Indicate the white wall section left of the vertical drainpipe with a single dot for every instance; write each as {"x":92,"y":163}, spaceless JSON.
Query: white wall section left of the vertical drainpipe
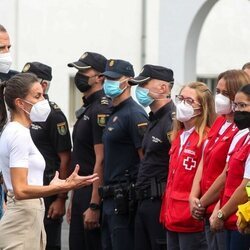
{"x":57,"y":32}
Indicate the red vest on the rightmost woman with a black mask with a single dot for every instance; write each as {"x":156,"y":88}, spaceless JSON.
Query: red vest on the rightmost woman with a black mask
{"x":235,"y":175}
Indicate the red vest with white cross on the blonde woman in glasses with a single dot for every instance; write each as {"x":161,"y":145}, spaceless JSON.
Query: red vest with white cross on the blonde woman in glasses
{"x":175,"y":212}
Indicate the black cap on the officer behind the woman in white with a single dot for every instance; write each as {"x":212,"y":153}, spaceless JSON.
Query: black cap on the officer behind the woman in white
{"x":41,"y":70}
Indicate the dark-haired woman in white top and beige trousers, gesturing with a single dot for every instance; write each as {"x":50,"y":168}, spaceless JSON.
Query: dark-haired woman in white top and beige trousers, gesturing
{"x":22,"y":166}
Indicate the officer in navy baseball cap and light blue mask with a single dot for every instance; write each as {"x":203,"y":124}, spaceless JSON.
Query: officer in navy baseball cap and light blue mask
{"x":122,"y":150}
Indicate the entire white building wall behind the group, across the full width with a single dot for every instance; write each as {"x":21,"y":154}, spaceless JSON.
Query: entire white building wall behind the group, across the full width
{"x":57,"y":32}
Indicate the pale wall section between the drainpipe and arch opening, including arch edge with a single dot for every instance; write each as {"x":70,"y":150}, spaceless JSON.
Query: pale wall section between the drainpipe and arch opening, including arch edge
{"x":179,"y":30}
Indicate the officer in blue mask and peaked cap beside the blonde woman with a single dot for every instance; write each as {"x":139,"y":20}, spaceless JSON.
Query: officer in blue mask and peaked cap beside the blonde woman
{"x":153,"y":90}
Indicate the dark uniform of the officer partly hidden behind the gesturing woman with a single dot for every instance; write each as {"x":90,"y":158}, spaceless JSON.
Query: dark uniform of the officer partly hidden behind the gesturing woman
{"x":52,"y":137}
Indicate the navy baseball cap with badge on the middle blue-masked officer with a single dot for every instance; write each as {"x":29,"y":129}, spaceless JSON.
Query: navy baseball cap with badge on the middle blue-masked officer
{"x":118,"y":68}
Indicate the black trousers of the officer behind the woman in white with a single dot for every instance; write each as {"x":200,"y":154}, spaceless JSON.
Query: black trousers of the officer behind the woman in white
{"x":53,"y":227}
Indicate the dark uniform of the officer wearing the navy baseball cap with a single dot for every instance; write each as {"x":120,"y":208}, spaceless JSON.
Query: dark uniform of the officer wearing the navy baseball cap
{"x":121,"y":138}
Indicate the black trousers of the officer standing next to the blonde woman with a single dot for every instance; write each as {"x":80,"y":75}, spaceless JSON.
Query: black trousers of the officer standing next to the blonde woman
{"x":149,"y":233}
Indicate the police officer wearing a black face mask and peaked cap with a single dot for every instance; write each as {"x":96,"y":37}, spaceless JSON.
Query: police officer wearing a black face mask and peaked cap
{"x":88,"y":150}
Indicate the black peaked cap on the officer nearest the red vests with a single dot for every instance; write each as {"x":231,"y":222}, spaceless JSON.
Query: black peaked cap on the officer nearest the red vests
{"x":153,"y":72}
